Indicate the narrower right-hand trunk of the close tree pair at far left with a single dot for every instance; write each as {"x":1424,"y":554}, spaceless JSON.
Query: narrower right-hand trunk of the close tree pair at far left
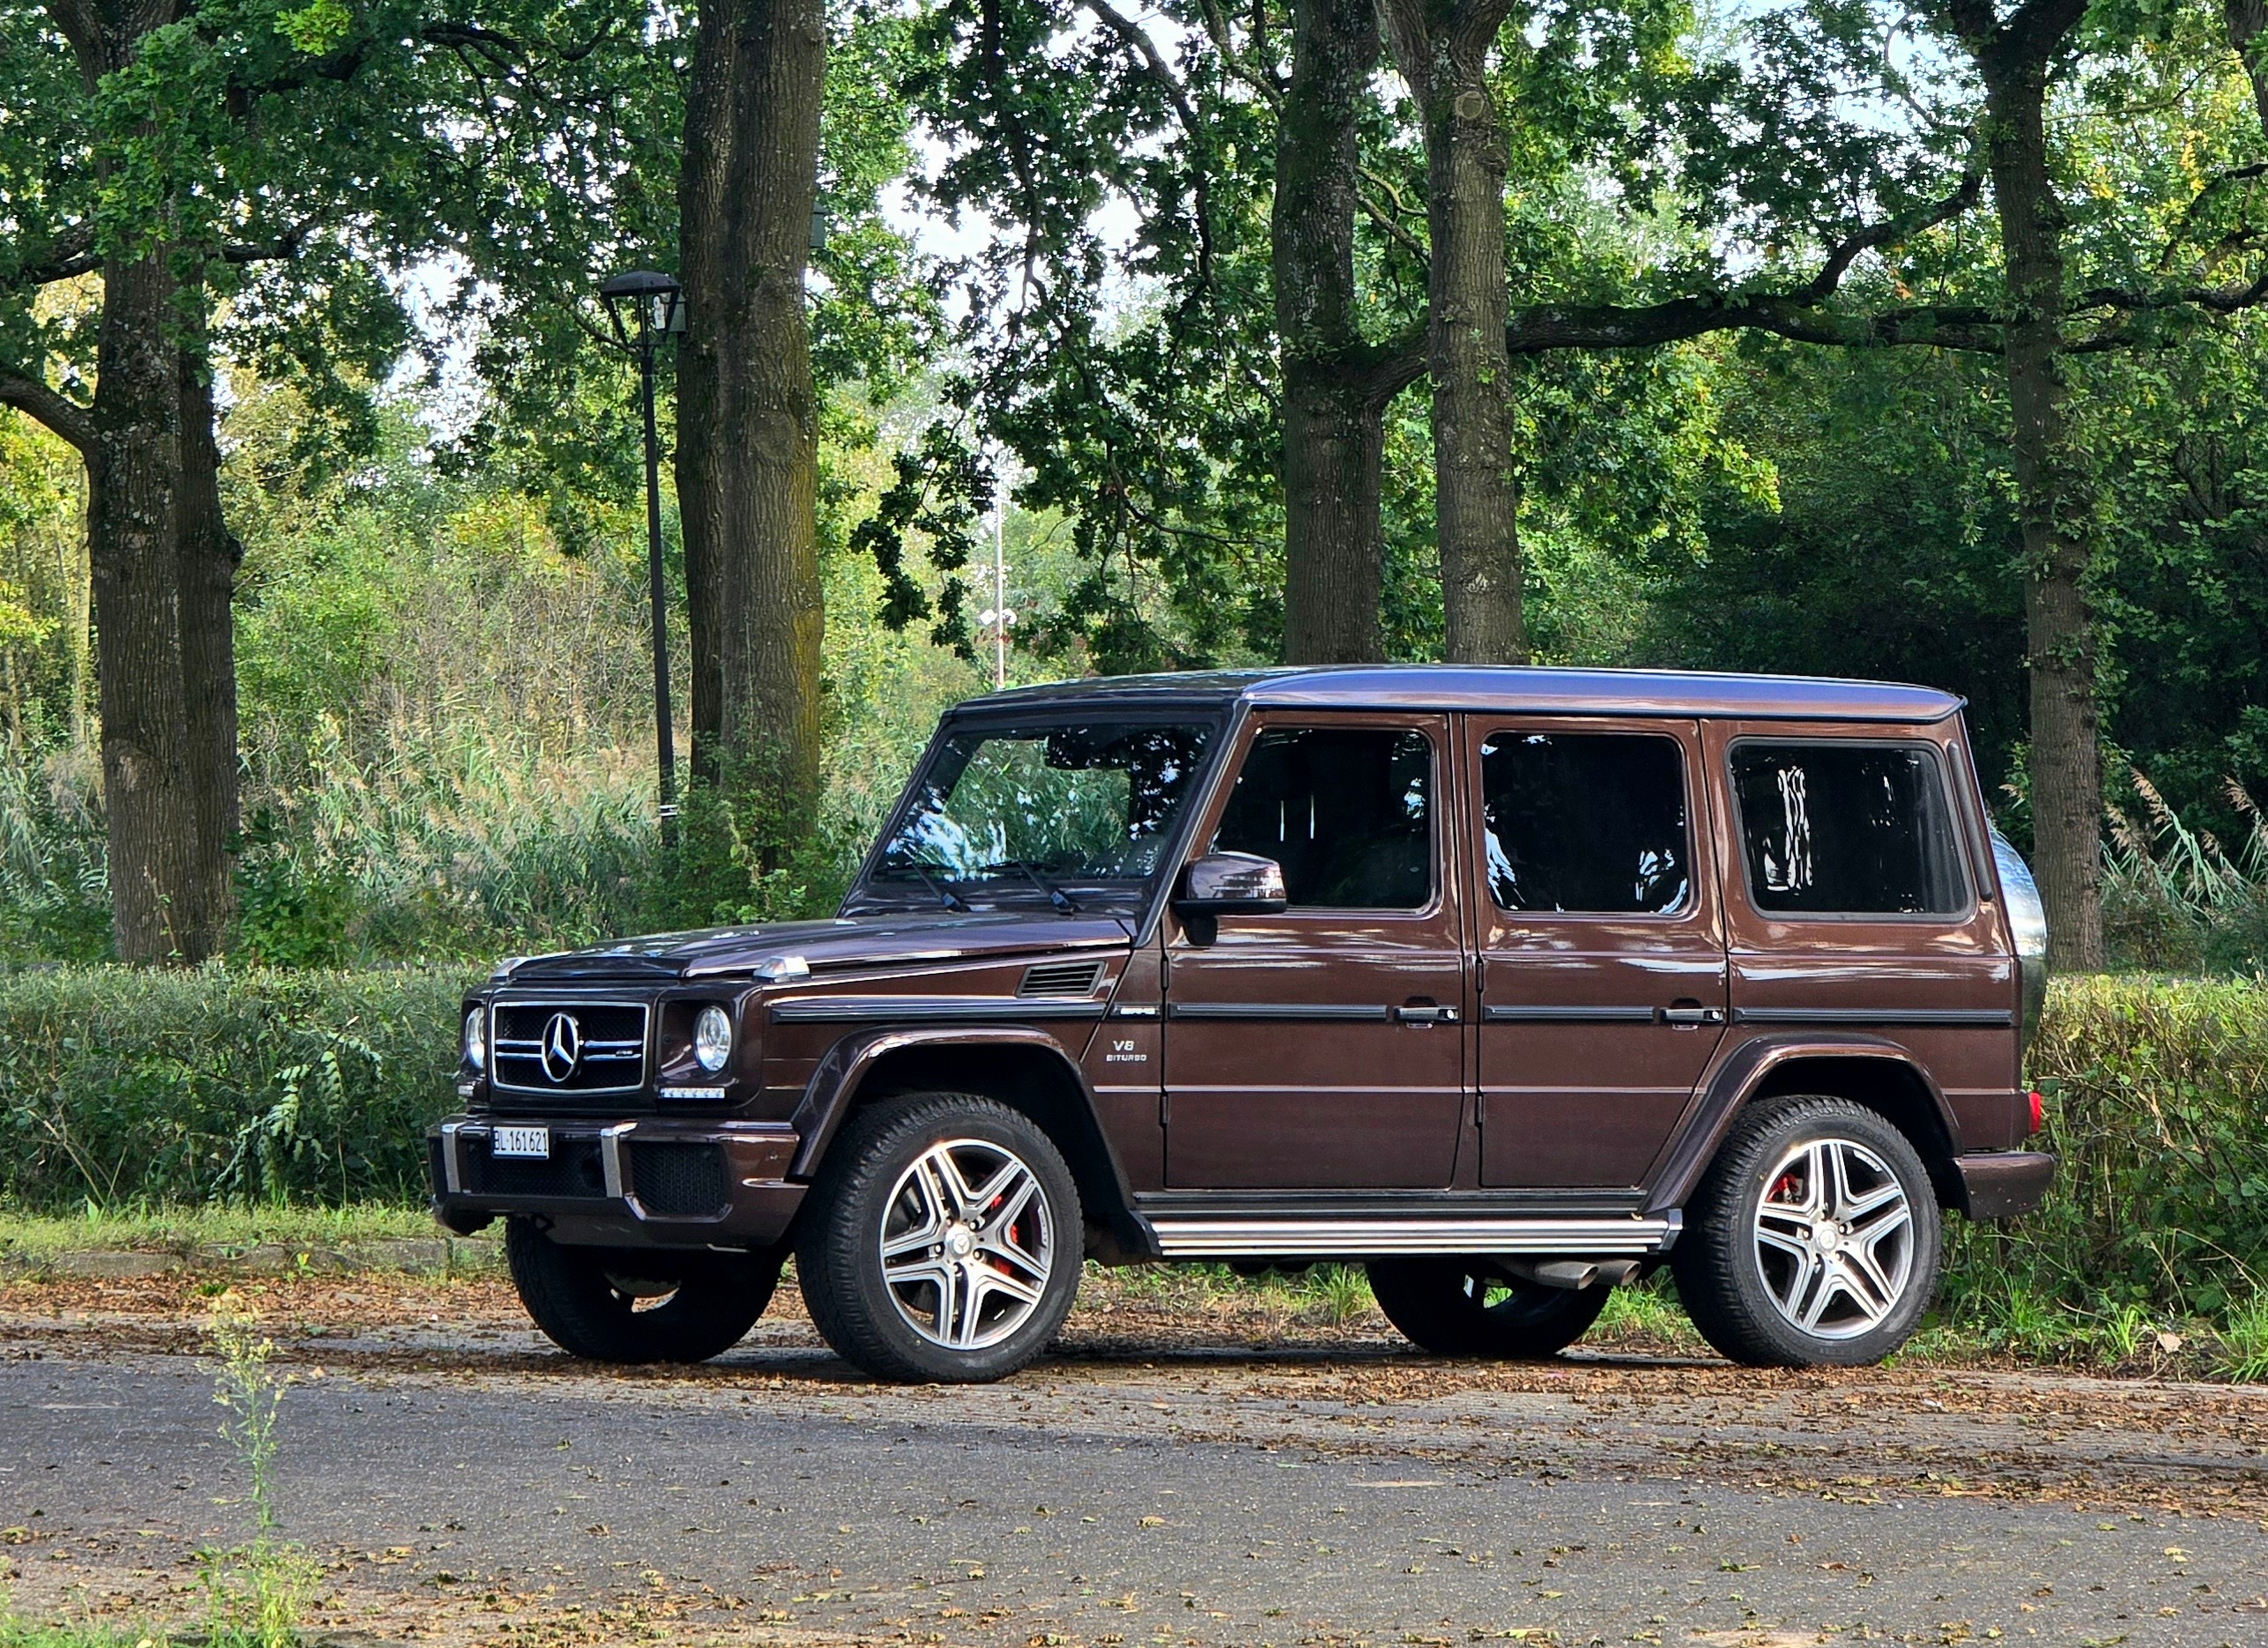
{"x":208,"y":566}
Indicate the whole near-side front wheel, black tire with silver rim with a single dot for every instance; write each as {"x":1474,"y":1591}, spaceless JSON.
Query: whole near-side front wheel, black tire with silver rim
{"x":881,"y":1184}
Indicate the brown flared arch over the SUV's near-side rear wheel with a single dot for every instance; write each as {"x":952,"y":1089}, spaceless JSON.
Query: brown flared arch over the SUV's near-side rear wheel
{"x":1865,"y":1070}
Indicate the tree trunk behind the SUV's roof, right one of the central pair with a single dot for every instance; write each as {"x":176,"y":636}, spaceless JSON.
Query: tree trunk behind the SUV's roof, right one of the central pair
{"x":1444,"y":53}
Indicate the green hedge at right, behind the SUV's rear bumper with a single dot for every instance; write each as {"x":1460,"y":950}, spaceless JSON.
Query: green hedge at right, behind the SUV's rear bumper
{"x":2158,"y":1107}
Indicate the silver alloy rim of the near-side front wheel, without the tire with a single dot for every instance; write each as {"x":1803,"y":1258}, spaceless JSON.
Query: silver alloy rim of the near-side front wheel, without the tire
{"x":967,"y":1245}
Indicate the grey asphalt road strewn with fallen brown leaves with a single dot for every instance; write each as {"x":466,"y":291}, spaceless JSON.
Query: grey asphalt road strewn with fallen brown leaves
{"x":462,"y":1483}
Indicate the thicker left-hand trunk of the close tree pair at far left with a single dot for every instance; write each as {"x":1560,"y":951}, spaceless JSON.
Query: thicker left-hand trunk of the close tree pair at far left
{"x":133,"y":523}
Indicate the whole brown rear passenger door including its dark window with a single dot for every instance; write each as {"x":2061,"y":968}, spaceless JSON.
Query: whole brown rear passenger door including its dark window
{"x":1602,"y":948}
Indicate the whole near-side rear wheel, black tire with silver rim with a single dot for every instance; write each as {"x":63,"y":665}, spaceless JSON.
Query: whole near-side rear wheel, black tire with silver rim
{"x":1732,"y":1279}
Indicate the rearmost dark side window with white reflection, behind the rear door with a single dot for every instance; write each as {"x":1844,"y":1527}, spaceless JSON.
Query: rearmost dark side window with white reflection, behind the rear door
{"x":1847,"y":830}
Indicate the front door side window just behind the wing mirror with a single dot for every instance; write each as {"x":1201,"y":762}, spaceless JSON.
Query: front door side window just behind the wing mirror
{"x":1348,"y":812}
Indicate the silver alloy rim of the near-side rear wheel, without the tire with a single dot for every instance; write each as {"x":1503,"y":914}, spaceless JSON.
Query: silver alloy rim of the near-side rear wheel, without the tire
{"x":1834,"y":1238}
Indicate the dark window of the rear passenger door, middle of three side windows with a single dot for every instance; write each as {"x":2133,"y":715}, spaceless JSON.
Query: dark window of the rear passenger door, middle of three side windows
{"x":1586,"y":823}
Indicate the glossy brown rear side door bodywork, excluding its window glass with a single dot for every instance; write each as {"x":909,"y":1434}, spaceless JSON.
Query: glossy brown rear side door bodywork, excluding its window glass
{"x":1593,"y":1027}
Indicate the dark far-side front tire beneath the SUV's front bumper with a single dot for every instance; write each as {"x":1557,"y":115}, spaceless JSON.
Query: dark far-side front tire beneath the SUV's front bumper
{"x":638,"y":1304}
